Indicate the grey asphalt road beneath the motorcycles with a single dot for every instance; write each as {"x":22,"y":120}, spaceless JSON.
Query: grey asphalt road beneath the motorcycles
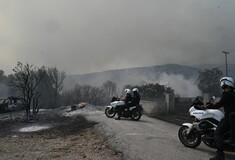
{"x":148,"y":139}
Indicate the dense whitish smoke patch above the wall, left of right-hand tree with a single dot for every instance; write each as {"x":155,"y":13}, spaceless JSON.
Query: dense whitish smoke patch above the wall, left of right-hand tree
{"x":183,"y":87}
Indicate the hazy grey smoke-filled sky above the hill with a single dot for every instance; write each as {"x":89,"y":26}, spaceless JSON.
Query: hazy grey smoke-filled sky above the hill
{"x":81,"y":36}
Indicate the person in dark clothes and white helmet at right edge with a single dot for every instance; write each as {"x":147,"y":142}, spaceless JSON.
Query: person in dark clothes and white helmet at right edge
{"x":227,"y":101}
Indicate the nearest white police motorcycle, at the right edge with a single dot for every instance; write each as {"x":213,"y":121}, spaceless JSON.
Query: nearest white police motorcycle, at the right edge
{"x":202,"y":128}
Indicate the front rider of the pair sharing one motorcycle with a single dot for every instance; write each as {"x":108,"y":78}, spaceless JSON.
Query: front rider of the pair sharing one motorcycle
{"x":127,"y":100}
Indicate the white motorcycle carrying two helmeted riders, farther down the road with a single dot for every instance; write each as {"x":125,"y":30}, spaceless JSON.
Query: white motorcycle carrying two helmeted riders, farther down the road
{"x":134,"y":112}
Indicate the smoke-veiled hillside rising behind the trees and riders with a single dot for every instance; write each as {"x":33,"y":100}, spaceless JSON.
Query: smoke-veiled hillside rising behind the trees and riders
{"x":170,"y":75}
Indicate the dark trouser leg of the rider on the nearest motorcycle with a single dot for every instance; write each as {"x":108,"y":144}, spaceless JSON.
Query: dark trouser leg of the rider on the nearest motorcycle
{"x":222,"y":127}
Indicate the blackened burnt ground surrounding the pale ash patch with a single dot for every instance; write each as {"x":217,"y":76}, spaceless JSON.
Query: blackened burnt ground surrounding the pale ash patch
{"x":61,"y":126}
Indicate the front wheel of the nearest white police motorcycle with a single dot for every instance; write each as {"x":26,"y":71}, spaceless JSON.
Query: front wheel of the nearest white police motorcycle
{"x":191,"y":140}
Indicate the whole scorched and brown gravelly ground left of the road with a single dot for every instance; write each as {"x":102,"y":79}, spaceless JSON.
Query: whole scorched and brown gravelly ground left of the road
{"x":72,"y":138}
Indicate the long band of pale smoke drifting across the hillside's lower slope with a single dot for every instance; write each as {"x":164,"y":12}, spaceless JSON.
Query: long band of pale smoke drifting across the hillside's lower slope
{"x":183,"y":87}
